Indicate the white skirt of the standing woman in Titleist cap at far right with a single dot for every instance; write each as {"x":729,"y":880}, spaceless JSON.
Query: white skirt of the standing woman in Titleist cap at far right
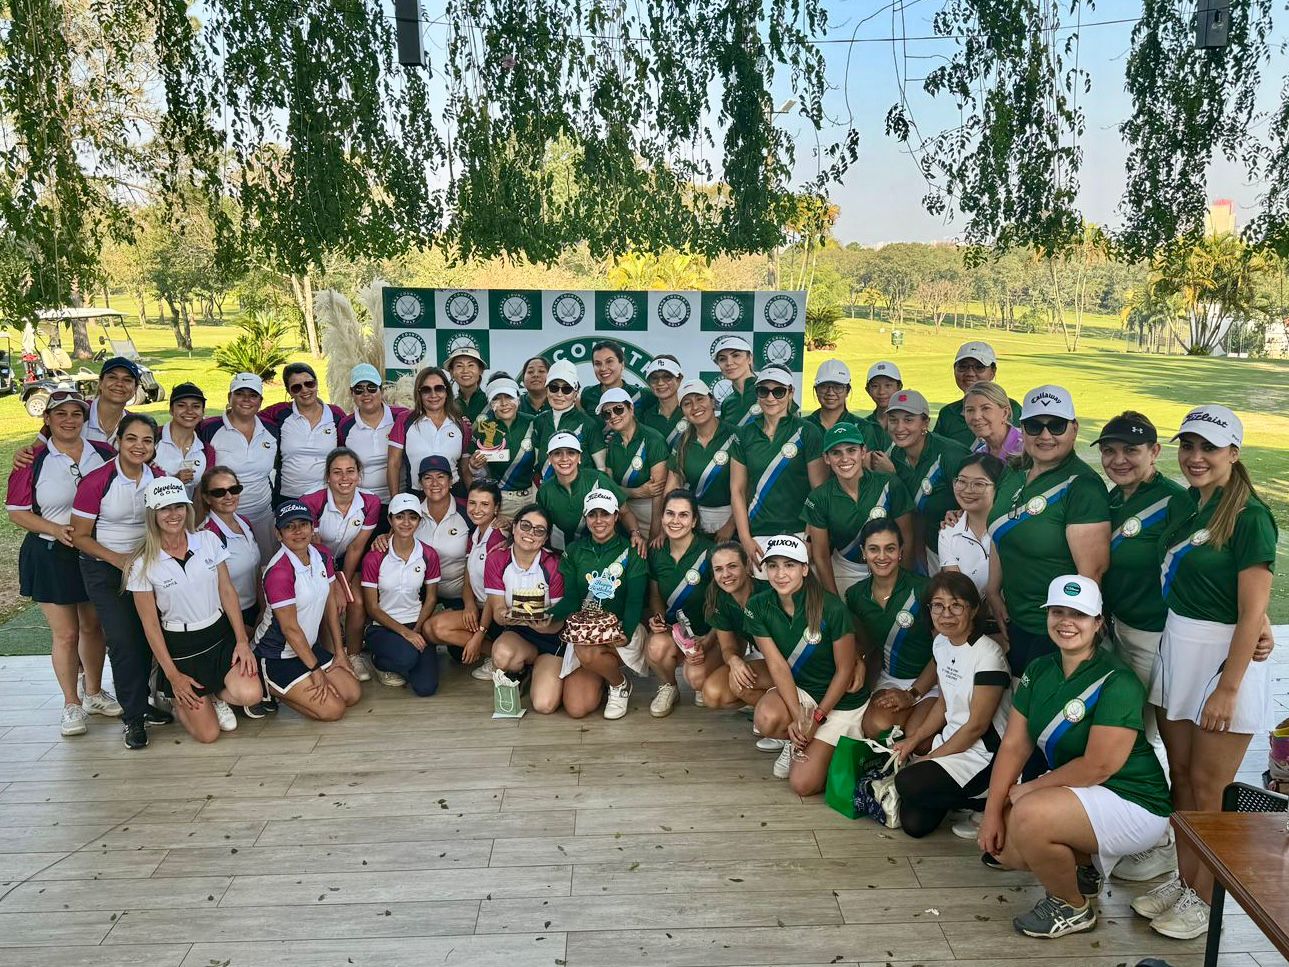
{"x":1192,"y":654}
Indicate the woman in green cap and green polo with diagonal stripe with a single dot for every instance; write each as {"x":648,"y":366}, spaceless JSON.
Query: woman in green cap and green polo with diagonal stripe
{"x":837,"y":511}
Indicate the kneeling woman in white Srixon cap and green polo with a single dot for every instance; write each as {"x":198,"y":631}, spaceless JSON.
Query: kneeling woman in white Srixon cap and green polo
{"x":809,"y":643}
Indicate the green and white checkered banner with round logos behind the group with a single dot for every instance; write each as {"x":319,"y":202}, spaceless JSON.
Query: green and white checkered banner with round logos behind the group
{"x":425,"y":327}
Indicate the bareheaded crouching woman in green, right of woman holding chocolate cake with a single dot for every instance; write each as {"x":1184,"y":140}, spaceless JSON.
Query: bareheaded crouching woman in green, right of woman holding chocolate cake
{"x":680,"y":573}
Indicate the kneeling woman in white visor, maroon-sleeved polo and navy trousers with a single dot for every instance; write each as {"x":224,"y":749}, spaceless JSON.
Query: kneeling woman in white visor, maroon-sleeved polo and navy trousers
{"x":399,"y":589}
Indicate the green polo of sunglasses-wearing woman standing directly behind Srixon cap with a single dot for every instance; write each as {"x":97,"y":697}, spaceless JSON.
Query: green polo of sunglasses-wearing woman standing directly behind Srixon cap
{"x":778,"y":476}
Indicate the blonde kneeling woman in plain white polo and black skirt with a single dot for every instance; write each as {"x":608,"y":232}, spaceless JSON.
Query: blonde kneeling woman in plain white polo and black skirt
{"x":190,"y":614}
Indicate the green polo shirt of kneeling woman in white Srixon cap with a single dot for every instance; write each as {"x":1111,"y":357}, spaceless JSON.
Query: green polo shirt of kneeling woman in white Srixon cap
{"x":809,"y":652}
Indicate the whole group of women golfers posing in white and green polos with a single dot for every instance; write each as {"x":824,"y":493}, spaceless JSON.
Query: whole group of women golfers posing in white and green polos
{"x":1043,"y":645}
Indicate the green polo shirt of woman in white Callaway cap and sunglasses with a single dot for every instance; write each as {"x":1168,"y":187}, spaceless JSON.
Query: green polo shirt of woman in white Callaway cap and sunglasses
{"x":1028,"y":528}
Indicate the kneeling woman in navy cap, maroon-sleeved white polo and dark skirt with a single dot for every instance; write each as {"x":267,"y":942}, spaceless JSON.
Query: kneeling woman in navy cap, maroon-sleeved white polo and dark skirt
{"x":311,"y":678}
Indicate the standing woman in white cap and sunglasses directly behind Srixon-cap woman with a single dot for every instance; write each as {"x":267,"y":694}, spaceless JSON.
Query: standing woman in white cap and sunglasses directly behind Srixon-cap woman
{"x":775,"y":462}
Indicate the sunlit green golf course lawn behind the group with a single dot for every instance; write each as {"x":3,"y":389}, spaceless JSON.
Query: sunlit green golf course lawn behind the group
{"x":1104,"y":380}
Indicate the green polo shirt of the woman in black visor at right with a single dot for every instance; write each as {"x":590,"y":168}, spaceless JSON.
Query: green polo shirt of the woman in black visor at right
{"x":1138,"y":525}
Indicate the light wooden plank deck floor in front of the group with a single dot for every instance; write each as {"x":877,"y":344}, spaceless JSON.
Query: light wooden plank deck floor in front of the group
{"x":422,"y":832}
